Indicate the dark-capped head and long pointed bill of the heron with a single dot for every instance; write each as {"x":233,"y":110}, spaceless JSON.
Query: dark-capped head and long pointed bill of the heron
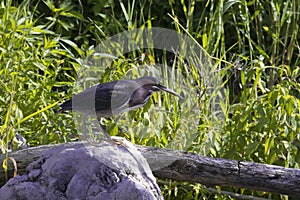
{"x":155,"y":85}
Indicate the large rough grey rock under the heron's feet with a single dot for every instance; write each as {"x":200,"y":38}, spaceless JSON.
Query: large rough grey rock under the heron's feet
{"x":107,"y":171}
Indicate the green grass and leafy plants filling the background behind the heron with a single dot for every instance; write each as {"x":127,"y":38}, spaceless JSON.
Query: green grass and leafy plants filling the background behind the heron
{"x":254,"y":52}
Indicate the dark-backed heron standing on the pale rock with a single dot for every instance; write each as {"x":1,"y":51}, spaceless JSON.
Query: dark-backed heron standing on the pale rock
{"x":112,"y":98}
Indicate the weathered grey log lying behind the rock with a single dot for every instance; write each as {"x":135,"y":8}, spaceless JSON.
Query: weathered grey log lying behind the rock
{"x":190,"y":167}
